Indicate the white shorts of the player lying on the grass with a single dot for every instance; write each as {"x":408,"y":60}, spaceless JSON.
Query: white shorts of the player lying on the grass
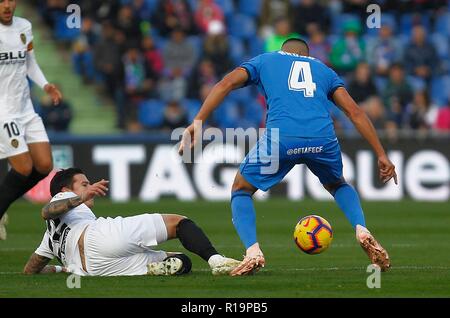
{"x":122,"y":246}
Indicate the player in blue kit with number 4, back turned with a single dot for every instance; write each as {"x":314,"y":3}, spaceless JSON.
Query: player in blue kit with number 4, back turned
{"x":298,"y":90}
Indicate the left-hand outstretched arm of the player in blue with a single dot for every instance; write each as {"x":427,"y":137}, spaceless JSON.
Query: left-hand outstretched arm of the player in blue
{"x":234,"y":80}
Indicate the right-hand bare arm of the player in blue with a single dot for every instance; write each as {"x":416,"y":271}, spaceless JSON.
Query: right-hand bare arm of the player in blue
{"x":365,"y":127}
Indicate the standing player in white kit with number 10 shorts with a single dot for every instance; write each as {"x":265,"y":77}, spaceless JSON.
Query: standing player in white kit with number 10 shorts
{"x":23,"y":139}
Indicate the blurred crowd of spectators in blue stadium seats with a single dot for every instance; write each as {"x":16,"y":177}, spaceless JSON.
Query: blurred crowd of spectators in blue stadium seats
{"x":159,"y":59}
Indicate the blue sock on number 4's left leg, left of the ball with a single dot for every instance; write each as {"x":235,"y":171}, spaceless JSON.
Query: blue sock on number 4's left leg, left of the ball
{"x":244,"y":217}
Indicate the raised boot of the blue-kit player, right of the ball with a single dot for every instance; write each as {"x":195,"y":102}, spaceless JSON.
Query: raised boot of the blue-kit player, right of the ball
{"x":377,"y":254}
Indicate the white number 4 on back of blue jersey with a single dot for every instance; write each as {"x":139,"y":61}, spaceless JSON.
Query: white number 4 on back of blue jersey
{"x":300,"y":78}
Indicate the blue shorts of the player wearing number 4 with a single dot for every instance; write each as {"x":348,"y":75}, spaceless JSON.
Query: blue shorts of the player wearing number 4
{"x":271,"y":159}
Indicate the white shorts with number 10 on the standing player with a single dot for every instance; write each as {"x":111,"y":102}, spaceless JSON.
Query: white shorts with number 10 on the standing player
{"x":17,"y":133}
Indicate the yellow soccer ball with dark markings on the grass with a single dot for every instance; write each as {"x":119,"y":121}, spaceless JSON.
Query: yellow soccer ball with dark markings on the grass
{"x":313,"y":234}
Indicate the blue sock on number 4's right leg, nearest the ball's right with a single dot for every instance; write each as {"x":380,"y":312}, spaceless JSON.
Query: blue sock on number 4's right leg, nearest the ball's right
{"x":348,"y":201}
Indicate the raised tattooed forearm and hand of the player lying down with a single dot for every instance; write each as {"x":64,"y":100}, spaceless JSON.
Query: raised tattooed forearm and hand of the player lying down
{"x":57,"y":208}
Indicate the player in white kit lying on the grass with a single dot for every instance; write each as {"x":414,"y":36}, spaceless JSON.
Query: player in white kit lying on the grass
{"x":88,"y":246}
